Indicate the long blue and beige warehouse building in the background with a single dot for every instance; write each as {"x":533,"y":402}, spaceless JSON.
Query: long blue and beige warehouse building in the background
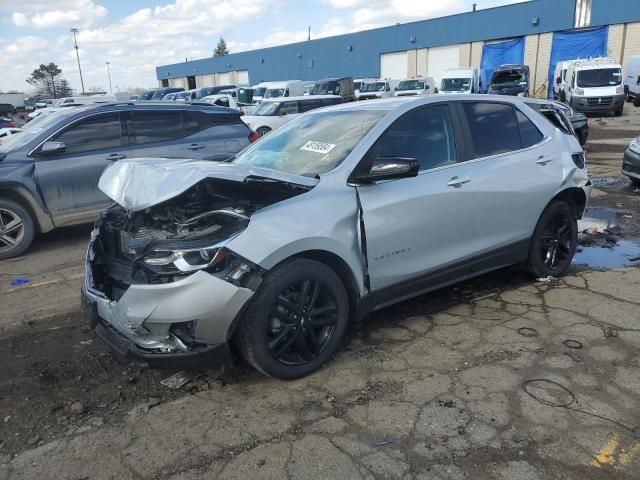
{"x":537,"y":33}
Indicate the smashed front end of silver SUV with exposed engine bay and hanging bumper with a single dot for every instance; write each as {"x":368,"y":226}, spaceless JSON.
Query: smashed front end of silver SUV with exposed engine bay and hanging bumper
{"x":162,"y":288}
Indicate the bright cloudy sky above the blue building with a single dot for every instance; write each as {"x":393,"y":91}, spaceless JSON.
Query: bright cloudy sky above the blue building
{"x":136,"y":36}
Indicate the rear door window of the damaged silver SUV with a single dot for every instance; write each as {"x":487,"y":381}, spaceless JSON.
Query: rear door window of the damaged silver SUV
{"x":493,"y":127}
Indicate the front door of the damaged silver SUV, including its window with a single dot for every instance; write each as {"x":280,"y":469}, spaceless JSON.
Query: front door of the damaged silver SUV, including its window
{"x":419,"y":230}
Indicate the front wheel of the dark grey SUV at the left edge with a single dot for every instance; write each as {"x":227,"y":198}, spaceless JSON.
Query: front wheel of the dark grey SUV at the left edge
{"x":16,"y":229}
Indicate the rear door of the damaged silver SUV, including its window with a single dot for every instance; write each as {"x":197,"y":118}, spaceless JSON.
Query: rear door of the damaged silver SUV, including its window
{"x":515,"y":172}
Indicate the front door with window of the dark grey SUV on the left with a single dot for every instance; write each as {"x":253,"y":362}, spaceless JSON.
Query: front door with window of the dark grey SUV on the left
{"x":69,"y":180}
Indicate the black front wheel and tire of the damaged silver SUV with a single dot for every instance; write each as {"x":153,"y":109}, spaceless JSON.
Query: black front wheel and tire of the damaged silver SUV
{"x":296,"y":320}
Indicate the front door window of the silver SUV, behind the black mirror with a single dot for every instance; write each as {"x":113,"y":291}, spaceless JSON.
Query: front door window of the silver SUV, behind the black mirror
{"x":425,"y":134}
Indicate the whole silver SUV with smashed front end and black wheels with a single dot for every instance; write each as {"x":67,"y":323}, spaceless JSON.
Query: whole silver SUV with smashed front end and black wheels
{"x":342,"y":211}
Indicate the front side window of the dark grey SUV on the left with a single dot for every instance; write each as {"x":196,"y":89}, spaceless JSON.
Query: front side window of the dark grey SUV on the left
{"x":96,"y":133}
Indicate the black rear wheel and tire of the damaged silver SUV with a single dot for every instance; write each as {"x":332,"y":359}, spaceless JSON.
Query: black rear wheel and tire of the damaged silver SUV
{"x":554,"y":241}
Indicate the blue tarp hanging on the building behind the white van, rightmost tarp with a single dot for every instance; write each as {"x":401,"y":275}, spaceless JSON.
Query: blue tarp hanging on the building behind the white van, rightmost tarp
{"x":570,"y":45}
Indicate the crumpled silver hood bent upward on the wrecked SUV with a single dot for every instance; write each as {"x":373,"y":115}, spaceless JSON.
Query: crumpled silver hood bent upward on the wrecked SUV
{"x":141,"y":183}
